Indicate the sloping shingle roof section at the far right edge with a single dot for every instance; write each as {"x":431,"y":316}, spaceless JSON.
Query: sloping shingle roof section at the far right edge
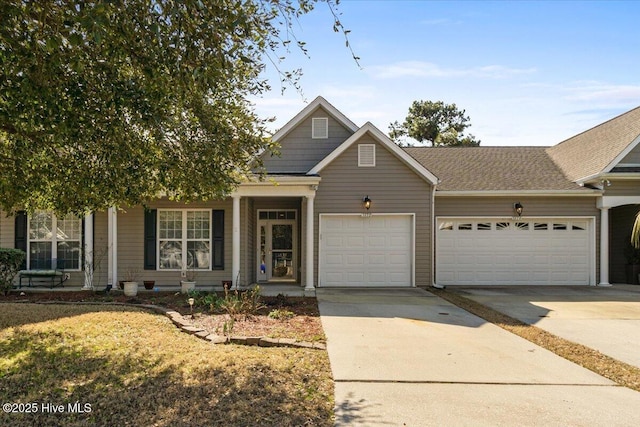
{"x":598,"y":149}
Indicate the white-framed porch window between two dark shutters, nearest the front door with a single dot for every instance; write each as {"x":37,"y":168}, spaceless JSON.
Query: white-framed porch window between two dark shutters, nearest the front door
{"x":184,"y":239}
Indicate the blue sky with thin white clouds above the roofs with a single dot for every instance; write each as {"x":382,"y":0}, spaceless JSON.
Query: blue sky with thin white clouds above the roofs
{"x":526,"y":72}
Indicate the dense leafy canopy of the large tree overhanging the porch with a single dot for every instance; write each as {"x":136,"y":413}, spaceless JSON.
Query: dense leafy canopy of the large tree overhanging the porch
{"x":114,"y":103}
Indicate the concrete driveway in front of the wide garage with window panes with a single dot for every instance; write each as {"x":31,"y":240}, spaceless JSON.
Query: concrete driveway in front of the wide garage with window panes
{"x":606,"y":319}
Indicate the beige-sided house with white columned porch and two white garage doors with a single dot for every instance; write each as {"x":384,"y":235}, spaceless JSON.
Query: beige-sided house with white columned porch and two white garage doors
{"x":442,"y":216}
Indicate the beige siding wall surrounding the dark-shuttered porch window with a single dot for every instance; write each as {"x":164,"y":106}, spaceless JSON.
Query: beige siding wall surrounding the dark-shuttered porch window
{"x":131,"y":244}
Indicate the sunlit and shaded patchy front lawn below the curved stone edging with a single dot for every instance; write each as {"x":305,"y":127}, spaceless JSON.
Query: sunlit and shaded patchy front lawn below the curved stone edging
{"x":135,"y":368}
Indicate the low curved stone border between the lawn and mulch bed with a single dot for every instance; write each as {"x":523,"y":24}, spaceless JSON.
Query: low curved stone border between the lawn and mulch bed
{"x":185,"y":326}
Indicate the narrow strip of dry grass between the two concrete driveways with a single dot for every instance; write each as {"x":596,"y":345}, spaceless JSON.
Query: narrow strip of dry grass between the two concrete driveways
{"x":619,"y":372}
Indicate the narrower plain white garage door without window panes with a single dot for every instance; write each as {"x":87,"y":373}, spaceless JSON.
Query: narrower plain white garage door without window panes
{"x":366,"y":251}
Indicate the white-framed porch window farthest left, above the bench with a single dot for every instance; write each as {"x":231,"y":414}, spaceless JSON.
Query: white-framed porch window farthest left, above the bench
{"x":52,"y":238}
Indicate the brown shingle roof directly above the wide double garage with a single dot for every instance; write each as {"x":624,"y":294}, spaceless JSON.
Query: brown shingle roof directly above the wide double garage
{"x":493,"y":169}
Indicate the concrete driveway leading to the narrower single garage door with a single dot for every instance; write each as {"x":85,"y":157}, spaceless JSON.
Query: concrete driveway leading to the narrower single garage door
{"x":407,"y":357}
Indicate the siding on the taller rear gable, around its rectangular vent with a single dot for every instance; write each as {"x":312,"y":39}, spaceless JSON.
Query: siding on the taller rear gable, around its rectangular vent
{"x":299,"y":152}
